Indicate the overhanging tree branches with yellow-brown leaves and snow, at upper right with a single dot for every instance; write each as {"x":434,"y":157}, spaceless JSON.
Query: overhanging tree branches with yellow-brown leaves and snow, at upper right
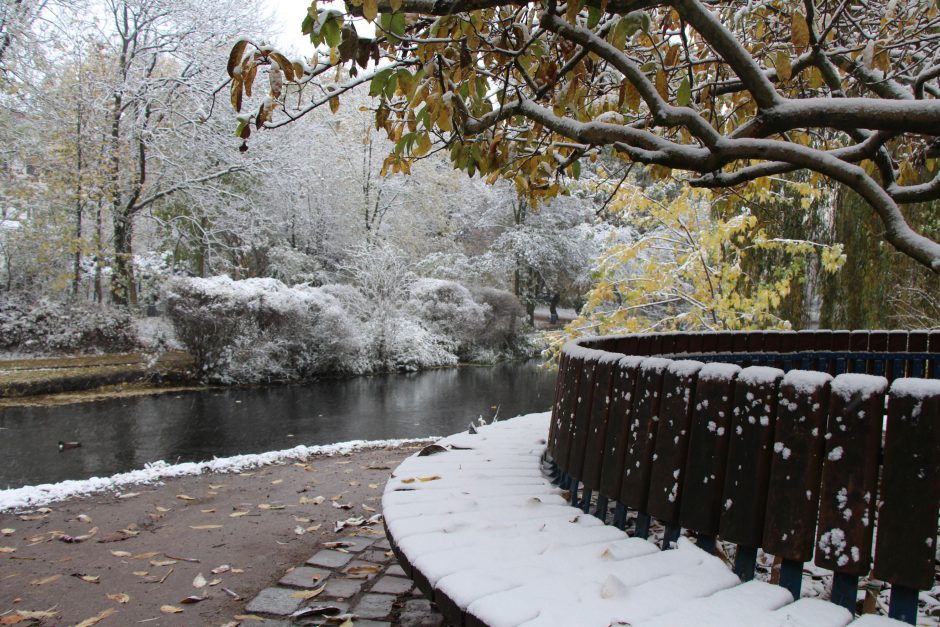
{"x":729,"y":90}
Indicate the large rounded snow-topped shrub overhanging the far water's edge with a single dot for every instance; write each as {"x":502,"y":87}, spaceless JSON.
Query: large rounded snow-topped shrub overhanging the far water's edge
{"x":261,"y":330}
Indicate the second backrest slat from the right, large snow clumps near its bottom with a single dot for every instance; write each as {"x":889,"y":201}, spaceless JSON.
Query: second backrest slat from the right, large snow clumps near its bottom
{"x":850,"y":472}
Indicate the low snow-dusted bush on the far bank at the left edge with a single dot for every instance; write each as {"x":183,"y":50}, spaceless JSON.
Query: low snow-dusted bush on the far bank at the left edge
{"x":51,"y":327}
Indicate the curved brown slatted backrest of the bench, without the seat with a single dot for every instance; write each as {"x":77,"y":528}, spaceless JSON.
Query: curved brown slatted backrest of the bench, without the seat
{"x":798,"y":443}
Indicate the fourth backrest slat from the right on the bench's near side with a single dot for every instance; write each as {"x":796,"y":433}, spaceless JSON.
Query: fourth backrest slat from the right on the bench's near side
{"x":749,"y":455}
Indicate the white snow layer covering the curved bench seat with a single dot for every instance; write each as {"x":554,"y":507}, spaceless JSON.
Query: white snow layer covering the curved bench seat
{"x":480,"y":523}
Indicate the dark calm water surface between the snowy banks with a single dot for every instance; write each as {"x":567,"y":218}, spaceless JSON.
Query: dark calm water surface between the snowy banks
{"x":123,"y":434}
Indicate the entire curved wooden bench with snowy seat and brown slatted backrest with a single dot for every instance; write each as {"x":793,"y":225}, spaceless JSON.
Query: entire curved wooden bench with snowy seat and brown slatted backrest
{"x":728,"y":437}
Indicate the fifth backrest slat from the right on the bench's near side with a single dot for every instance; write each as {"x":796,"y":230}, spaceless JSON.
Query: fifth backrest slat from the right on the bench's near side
{"x":700,"y":509}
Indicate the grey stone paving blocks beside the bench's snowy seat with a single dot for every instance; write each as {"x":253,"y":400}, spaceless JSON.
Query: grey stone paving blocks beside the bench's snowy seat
{"x":356,"y":576}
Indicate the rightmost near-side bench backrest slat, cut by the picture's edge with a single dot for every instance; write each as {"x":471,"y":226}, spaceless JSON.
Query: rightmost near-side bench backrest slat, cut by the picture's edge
{"x":910,"y":485}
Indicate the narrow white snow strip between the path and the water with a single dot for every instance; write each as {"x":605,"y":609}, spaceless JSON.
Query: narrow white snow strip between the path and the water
{"x":38,"y":495}
